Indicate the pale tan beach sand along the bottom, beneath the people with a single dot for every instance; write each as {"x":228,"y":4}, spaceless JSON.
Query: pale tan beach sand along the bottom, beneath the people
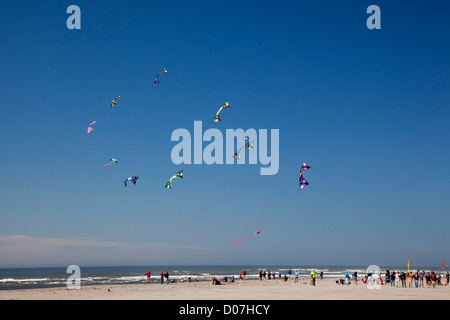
{"x":325,"y":289}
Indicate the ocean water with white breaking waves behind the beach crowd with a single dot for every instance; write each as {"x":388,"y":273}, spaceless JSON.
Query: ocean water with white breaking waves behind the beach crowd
{"x":25,"y":278}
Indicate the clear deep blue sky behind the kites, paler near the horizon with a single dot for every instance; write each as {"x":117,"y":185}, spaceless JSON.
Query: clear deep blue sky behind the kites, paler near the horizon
{"x":367,"y":109}
